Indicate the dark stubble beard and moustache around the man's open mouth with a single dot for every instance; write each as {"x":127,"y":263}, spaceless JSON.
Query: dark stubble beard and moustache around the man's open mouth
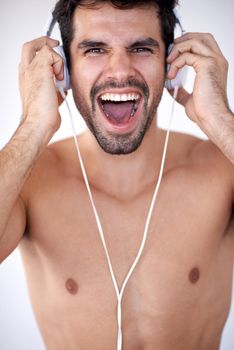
{"x":117,"y":144}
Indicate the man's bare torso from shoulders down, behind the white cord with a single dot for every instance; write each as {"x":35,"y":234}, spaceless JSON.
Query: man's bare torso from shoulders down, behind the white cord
{"x":180,"y":292}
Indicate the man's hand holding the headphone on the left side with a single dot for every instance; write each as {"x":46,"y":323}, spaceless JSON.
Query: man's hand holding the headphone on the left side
{"x":39,"y":65}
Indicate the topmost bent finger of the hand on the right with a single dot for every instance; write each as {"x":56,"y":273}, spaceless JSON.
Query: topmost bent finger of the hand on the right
{"x":206,"y":38}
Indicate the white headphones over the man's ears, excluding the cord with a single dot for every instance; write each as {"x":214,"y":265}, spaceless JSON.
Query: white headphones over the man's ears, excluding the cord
{"x":64,"y":84}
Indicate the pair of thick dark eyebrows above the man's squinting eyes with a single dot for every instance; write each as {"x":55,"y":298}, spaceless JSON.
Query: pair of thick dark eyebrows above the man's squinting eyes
{"x":140,"y":42}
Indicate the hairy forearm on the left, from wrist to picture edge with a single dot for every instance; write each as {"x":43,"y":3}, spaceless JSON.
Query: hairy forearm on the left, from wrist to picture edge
{"x":16,"y":161}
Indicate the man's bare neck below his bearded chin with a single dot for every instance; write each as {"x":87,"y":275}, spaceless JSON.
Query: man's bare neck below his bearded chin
{"x":126,"y":175}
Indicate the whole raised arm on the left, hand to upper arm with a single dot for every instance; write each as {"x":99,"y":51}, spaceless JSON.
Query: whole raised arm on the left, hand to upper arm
{"x":41,"y":119}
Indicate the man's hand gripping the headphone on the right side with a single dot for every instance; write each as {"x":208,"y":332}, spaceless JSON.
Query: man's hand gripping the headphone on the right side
{"x":209,"y":97}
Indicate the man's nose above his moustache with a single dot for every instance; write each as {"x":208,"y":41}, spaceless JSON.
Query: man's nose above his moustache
{"x":120,"y":66}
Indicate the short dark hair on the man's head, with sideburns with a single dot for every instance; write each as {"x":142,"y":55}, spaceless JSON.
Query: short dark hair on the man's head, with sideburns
{"x":64,"y":11}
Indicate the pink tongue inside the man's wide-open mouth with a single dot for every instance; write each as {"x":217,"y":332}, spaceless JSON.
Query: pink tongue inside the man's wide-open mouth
{"x":118,"y":112}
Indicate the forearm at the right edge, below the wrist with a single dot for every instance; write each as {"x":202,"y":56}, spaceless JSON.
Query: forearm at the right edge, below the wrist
{"x":221,"y":132}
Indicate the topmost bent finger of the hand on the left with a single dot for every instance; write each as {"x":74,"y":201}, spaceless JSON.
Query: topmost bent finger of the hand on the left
{"x":31,"y":48}
